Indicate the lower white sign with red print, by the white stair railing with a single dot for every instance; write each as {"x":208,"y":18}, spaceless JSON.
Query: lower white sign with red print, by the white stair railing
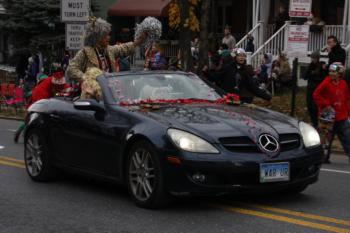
{"x":298,"y":40}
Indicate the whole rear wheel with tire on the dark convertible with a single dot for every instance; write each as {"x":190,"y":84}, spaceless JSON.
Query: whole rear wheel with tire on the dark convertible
{"x":37,"y":157}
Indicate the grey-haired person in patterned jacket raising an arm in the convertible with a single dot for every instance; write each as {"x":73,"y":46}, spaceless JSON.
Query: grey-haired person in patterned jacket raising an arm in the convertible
{"x":97,"y":51}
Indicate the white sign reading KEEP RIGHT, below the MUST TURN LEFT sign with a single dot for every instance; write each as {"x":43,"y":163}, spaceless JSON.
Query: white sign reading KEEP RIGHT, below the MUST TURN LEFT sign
{"x":74,"y":36}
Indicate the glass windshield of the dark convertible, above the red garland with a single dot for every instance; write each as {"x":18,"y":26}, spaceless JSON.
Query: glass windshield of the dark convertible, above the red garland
{"x":137,"y":87}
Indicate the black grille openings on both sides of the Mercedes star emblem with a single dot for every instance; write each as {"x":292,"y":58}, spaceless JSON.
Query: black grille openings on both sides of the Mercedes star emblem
{"x":244,"y":144}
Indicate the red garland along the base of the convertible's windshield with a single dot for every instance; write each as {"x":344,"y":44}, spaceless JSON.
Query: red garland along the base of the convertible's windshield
{"x":230,"y":99}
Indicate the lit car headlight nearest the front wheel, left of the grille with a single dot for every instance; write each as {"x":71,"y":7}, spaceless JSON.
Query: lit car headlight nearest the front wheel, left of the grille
{"x":189,"y":142}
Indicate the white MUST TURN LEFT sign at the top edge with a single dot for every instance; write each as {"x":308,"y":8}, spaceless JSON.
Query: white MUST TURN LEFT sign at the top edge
{"x":75,"y":10}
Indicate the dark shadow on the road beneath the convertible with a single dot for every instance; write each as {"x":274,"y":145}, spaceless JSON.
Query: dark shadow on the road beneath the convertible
{"x":119,"y":194}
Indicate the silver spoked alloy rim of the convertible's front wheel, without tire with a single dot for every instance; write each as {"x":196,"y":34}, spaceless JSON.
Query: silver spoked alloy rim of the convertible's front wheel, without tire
{"x":141,"y":174}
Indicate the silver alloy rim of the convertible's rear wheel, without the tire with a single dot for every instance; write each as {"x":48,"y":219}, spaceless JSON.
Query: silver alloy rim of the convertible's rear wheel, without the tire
{"x":34,"y":150}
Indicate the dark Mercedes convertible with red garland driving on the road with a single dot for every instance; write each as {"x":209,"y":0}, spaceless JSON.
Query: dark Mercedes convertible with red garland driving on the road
{"x":170,"y":133}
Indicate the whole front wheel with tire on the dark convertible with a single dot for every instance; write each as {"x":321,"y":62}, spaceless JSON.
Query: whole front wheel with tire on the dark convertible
{"x":144,"y":176}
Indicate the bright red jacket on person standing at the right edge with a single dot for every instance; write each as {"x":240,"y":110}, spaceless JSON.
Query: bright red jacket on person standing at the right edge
{"x":337,"y":96}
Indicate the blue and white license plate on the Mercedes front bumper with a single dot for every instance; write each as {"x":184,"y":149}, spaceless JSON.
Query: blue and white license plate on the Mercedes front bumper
{"x":274,"y":172}
